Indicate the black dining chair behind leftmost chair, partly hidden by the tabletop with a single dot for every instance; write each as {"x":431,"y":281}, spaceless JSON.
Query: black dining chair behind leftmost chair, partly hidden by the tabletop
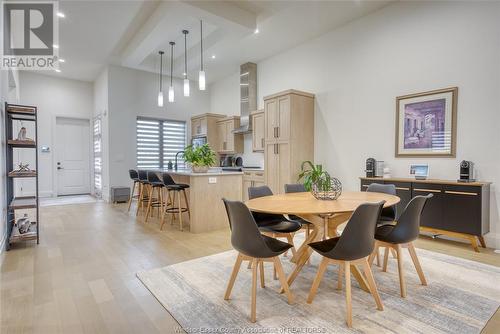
{"x":276,"y":226}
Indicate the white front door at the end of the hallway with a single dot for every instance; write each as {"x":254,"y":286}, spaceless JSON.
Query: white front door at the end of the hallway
{"x":72,"y":156}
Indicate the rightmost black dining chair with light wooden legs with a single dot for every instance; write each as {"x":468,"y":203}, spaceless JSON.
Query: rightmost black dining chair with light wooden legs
{"x":402,"y":234}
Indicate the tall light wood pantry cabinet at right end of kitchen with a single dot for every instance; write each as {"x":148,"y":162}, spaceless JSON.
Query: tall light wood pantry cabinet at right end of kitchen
{"x":289,"y":136}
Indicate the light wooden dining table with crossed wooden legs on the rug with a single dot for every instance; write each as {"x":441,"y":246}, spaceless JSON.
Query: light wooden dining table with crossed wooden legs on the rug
{"x":324,"y":215}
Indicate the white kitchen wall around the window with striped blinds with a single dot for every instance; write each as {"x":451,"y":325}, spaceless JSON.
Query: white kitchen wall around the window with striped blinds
{"x":134,"y":93}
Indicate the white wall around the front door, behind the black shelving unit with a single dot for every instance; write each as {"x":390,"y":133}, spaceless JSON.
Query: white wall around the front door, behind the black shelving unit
{"x":54,"y":97}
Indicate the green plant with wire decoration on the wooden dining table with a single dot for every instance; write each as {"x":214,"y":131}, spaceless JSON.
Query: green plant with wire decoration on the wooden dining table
{"x":319,"y":182}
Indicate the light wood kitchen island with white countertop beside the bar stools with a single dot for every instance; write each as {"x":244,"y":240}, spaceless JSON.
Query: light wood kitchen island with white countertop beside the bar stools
{"x":205,"y":194}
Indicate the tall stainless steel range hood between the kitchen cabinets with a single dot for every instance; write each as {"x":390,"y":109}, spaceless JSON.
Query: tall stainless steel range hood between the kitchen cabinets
{"x":248,"y":96}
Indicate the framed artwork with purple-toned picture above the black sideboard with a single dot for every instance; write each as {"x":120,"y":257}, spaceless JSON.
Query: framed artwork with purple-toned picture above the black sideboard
{"x":426,"y":124}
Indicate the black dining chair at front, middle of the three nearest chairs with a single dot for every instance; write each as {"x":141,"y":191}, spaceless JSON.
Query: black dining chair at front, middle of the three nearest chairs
{"x":353,"y":247}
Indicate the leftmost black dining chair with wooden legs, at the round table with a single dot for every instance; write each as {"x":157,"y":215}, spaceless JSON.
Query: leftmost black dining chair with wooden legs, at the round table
{"x":251,"y":245}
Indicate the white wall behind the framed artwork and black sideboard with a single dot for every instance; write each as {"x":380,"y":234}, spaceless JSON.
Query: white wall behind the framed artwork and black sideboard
{"x":357,"y":71}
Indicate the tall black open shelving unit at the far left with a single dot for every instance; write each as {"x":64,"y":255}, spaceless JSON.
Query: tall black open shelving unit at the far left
{"x":13,"y":113}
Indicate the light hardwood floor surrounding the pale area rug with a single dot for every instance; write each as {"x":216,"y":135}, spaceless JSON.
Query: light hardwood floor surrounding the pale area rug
{"x":81,"y":278}
